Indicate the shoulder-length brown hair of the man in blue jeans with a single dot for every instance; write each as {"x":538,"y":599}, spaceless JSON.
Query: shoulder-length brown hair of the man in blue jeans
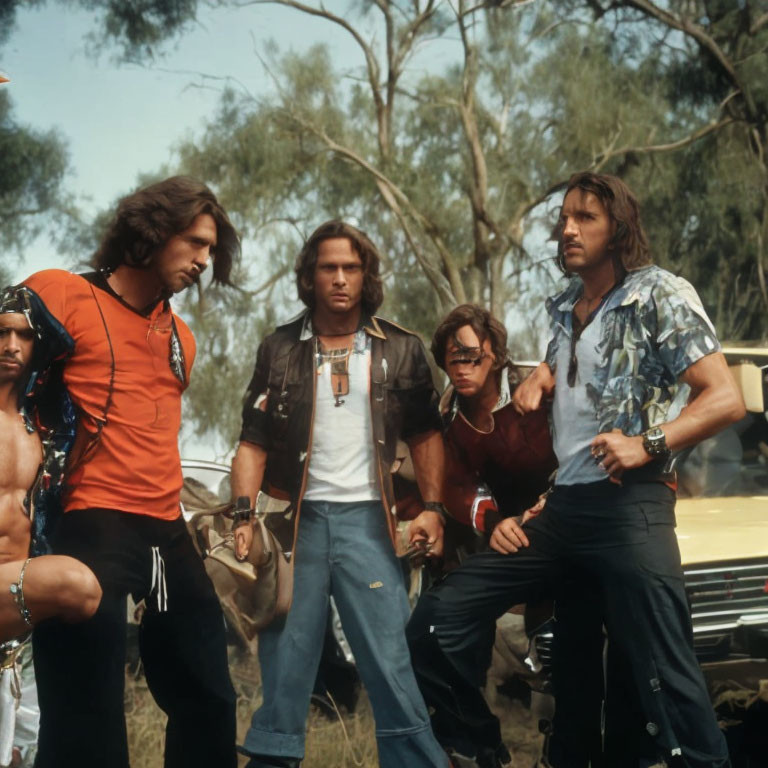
{"x":373,"y":294}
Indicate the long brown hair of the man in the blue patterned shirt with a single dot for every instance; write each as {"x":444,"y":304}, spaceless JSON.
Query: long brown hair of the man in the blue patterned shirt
{"x":629,"y":244}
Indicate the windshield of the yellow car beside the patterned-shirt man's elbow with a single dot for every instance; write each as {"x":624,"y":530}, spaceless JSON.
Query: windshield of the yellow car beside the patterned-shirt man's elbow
{"x":732,"y":463}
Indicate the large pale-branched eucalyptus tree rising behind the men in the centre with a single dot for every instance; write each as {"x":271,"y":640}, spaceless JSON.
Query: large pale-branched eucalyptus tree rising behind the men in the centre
{"x":447,"y":163}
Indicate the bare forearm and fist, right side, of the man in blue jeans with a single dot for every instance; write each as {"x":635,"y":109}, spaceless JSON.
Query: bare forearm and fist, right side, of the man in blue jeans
{"x":428,"y":456}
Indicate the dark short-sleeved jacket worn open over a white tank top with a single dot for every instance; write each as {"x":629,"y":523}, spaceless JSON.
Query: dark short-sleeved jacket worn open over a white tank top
{"x":403,"y":402}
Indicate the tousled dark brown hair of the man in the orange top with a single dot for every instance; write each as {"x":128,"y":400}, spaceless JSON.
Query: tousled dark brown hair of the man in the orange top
{"x":146,"y":219}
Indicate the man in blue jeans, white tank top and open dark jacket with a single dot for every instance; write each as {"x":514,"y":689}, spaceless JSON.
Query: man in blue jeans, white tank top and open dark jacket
{"x":332,"y":392}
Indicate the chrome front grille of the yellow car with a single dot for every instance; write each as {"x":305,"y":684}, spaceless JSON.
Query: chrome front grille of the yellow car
{"x":723,"y":599}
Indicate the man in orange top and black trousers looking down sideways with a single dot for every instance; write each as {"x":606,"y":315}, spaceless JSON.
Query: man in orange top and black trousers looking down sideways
{"x":130,"y":363}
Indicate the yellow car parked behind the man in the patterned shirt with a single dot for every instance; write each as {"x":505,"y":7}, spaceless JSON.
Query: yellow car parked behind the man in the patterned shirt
{"x":722,"y":530}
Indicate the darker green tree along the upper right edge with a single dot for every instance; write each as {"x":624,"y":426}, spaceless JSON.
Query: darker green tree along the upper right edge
{"x":710,"y":206}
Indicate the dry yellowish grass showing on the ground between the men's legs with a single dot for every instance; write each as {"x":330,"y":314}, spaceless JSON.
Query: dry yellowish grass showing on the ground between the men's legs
{"x":327,"y":746}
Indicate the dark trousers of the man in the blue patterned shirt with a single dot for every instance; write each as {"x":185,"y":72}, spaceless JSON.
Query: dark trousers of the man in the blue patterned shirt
{"x":621,"y":538}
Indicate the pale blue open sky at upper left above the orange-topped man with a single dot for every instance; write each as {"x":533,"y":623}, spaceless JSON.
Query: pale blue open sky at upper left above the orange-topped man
{"x":122,"y":120}
